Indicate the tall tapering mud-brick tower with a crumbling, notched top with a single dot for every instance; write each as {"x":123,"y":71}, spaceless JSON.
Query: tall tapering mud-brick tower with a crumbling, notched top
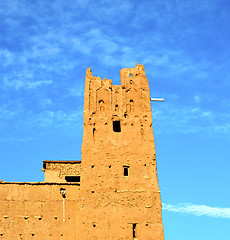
{"x":119,"y":196}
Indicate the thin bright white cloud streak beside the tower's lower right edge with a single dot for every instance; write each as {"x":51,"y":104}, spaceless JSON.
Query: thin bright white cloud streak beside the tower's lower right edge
{"x":197,"y":210}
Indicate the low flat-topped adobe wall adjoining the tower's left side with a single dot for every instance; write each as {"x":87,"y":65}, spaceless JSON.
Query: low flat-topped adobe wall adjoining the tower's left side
{"x":37,"y":211}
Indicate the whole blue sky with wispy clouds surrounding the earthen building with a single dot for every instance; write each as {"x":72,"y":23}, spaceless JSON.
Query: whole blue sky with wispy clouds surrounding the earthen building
{"x":45,"y":49}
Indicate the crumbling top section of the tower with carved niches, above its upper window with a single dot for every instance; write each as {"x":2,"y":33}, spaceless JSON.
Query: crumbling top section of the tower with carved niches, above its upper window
{"x":130,"y":98}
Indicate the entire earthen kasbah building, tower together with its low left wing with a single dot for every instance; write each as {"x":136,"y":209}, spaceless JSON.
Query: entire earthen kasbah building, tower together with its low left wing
{"x":113,"y":192}
